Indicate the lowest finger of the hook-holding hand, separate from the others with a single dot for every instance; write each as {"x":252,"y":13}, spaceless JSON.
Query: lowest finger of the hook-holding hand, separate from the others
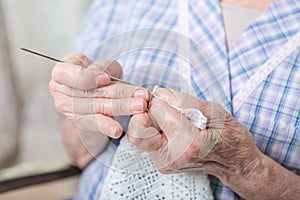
{"x":98,"y":123}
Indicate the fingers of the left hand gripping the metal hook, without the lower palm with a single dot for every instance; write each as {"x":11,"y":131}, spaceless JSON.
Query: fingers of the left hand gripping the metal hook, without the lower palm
{"x":83,"y":92}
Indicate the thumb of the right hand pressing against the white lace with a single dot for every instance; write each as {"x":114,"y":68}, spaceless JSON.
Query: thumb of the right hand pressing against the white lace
{"x":180,"y":132}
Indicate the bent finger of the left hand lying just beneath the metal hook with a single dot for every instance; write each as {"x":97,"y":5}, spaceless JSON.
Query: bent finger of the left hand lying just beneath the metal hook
{"x":77,"y":77}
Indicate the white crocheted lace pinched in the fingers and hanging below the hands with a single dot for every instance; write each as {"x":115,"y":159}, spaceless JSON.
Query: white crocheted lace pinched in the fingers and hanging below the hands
{"x":133,"y":175}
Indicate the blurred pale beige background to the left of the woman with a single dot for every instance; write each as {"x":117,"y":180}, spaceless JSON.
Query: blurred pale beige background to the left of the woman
{"x":29,"y":123}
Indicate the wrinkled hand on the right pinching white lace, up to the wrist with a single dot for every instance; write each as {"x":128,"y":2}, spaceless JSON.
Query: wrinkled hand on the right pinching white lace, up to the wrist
{"x":180,"y":142}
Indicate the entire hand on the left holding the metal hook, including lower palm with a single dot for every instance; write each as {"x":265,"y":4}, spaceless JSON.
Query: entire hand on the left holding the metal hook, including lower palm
{"x":83,"y":93}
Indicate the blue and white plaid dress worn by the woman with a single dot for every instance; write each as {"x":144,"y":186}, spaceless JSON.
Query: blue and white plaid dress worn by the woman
{"x":150,"y":56}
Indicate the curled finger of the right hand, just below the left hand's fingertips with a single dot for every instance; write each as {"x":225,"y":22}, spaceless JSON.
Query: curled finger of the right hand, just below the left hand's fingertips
{"x":143,"y":135}
